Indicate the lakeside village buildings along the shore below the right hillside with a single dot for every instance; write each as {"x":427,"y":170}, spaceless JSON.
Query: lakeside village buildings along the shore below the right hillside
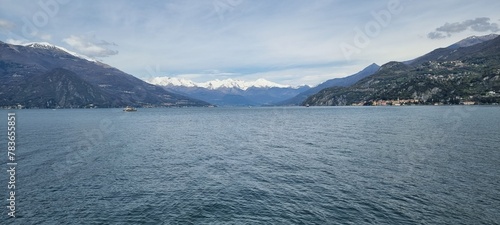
{"x":457,"y":101}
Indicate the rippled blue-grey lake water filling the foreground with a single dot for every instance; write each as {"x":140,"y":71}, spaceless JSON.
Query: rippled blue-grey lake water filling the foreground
{"x":331,"y":165}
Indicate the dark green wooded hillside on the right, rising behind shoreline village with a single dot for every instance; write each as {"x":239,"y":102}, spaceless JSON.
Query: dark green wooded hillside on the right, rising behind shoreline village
{"x":467,"y":72}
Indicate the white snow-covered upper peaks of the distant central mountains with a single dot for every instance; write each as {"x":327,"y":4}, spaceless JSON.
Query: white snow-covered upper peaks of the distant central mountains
{"x":216,"y":84}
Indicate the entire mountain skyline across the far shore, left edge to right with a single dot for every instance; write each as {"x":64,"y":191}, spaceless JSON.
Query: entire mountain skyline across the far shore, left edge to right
{"x":41,"y":75}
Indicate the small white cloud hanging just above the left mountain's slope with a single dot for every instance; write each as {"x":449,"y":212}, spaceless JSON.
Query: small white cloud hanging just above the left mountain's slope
{"x":90,"y":47}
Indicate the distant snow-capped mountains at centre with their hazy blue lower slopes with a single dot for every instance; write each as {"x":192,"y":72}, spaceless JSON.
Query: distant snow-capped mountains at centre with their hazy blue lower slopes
{"x":230,"y":92}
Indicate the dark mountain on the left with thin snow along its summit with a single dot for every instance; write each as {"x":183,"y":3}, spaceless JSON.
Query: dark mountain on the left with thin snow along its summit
{"x":41,"y":75}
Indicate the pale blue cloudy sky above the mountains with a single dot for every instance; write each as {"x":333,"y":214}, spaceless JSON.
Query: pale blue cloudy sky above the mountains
{"x":286,"y":41}
